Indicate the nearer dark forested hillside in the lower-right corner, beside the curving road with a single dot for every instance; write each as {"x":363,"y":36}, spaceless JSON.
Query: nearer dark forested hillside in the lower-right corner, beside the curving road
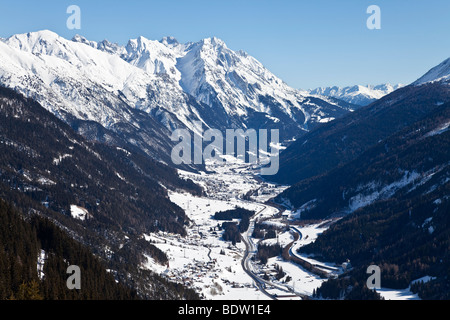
{"x":408,"y":239}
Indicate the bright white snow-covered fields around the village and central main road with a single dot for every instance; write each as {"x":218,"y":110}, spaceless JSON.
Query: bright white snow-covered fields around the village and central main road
{"x":204,"y":261}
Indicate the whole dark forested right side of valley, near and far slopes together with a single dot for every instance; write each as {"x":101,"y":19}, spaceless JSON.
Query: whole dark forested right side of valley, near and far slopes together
{"x":395,"y":199}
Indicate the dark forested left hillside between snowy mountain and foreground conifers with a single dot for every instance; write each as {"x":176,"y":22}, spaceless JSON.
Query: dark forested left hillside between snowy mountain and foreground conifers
{"x":45,"y":167}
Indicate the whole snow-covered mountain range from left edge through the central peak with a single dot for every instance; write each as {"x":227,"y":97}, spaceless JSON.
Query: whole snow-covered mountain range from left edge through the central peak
{"x":148,"y":88}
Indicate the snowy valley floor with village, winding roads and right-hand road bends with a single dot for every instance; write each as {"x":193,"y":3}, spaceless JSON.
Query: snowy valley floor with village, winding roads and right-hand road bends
{"x":218,"y":270}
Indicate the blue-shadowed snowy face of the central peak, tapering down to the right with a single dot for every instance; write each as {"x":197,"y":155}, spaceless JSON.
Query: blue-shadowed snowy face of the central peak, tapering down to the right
{"x":240,"y":86}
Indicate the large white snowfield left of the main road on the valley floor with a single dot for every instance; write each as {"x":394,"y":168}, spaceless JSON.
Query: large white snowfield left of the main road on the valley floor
{"x":197,"y":259}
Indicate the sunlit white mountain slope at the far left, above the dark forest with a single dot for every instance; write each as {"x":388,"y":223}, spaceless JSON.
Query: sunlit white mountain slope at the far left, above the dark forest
{"x":86,"y":82}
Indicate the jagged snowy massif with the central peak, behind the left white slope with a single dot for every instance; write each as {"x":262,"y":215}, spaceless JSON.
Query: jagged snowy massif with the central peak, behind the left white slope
{"x":235,"y":86}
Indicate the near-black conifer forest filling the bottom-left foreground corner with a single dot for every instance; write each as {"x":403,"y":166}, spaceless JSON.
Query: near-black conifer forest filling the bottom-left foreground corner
{"x":21,"y":242}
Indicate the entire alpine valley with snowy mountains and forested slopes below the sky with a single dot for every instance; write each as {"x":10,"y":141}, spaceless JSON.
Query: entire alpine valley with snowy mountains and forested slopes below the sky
{"x":86,"y":177}
